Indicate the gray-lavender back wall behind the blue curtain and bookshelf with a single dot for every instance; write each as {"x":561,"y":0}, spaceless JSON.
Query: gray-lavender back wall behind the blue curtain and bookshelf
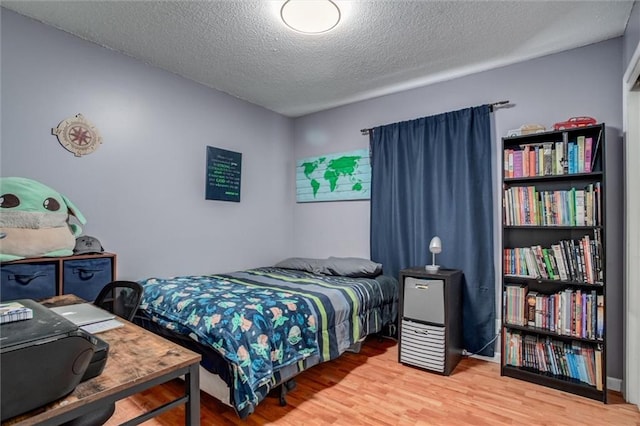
{"x":585,"y":81}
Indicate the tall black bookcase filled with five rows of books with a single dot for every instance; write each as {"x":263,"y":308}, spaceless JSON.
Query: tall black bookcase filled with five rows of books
{"x":553,"y":268}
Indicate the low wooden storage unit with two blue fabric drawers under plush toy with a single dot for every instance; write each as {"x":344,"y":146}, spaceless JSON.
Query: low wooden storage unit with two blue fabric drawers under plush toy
{"x":43,"y":277}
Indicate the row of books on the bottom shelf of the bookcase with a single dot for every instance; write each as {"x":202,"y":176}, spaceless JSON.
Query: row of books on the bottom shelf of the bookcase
{"x":576,"y":360}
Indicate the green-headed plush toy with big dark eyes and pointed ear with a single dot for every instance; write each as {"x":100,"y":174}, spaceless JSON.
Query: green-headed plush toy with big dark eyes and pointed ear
{"x":34,"y":220}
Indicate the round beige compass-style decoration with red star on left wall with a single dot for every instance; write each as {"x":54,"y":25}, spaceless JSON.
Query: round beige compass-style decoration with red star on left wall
{"x":78,"y":135}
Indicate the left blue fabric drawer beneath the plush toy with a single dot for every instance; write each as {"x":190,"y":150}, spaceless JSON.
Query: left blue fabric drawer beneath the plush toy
{"x":24,"y":281}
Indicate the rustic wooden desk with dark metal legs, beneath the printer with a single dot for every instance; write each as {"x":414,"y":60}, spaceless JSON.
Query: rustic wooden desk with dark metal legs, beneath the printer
{"x":138,"y":360}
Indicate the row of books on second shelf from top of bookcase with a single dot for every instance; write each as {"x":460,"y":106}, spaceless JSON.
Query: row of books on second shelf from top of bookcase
{"x":525,"y":205}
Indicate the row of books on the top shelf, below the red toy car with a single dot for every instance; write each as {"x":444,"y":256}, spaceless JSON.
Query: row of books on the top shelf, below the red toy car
{"x":551,"y":158}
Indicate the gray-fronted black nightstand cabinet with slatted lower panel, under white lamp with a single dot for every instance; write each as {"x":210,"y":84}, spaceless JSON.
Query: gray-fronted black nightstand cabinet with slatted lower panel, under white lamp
{"x":430,"y":335}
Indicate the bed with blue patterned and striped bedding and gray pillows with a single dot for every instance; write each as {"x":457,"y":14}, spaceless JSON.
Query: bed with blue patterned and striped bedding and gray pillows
{"x":257,"y":329}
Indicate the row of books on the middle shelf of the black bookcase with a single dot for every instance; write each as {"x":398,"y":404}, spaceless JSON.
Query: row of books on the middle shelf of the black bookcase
{"x":567,"y":260}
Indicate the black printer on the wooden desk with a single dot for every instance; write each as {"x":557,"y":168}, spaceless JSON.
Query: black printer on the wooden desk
{"x":43,"y":359}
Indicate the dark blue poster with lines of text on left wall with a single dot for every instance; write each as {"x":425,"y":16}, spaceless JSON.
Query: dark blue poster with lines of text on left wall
{"x":224,"y":169}
